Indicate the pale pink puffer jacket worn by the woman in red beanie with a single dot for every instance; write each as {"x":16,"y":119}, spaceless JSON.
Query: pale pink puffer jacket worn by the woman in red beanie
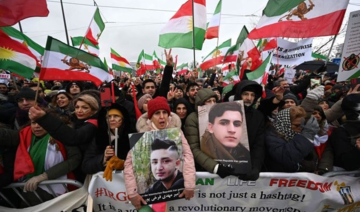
{"x":143,"y":125}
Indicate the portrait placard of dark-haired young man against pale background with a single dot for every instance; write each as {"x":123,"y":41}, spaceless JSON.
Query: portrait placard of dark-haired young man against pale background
{"x":223,"y":134}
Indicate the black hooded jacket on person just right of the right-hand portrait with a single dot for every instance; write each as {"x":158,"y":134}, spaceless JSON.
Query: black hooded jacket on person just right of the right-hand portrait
{"x":255,"y":128}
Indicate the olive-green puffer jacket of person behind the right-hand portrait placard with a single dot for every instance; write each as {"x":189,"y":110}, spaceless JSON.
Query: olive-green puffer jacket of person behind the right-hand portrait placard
{"x":202,"y":160}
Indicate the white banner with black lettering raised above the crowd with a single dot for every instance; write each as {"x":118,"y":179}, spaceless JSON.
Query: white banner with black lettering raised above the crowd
{"x":289,"y":53}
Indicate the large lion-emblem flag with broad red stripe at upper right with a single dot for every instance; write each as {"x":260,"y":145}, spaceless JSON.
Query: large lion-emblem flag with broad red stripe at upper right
{"x":300,"y":18}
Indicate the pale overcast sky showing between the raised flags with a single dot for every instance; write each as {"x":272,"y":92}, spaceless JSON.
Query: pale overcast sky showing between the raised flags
{"x":133,"y":25}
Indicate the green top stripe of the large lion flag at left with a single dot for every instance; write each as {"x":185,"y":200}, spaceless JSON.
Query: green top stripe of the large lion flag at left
{"x":55,"y":45}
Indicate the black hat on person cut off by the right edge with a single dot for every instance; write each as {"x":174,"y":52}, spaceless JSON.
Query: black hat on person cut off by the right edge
{"x":351,"y":107}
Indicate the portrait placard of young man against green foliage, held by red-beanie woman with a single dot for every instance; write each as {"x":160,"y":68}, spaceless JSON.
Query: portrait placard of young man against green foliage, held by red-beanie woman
{"x":158,"y":164}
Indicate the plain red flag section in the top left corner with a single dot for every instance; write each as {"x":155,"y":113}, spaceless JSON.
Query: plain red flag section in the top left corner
{"x":13,"y":11}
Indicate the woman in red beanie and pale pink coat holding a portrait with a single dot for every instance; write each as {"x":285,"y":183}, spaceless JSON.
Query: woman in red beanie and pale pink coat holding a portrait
{"x":160,"y":117}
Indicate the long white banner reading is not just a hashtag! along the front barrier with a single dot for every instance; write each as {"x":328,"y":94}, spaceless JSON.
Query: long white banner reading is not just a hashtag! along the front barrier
{"x":272,"y":192}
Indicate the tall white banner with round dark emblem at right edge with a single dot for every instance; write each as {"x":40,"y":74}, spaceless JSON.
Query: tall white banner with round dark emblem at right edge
{"x":350,"y":58}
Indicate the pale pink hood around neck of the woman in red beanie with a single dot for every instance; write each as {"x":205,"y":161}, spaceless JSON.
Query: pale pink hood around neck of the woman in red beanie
{"x":143,"y":124}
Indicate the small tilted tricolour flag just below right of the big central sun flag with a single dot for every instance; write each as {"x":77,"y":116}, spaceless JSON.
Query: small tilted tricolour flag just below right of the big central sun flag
{"x":216,"y":56}
